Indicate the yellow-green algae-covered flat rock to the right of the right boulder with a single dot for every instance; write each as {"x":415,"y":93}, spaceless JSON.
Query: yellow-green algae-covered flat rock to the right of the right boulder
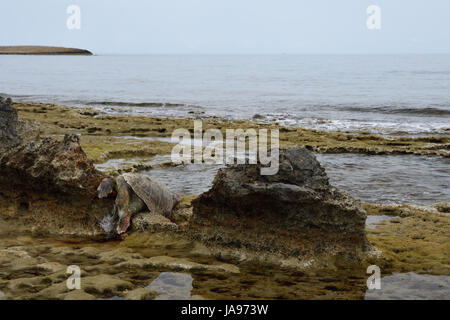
{"x":417,"y":241}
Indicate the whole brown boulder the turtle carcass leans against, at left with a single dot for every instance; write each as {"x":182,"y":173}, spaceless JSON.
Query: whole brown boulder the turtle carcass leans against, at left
{"x":51,"y":185}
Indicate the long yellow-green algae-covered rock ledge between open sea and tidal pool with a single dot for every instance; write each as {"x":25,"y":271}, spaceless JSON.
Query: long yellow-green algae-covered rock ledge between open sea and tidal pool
{"x":109,"y":139}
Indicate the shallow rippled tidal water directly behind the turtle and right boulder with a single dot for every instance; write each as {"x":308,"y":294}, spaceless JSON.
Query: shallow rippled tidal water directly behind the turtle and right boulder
{"x":371,"y":179}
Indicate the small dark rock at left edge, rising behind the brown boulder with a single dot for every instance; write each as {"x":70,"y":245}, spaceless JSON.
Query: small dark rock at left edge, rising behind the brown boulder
{"x":8,"y":125}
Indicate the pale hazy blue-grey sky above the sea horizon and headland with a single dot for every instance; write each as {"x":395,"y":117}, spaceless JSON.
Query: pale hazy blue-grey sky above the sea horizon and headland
{"x":230,"y":26}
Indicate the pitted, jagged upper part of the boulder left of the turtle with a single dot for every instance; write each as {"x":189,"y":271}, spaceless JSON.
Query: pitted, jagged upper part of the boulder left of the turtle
{"x":50,"y":166}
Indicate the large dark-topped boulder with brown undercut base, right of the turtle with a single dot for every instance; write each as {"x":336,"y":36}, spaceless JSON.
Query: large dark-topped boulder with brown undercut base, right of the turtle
{"x":295,"y":212}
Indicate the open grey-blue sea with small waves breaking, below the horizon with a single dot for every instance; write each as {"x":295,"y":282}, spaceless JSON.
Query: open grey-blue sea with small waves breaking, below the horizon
{"x":386,"y":94}
